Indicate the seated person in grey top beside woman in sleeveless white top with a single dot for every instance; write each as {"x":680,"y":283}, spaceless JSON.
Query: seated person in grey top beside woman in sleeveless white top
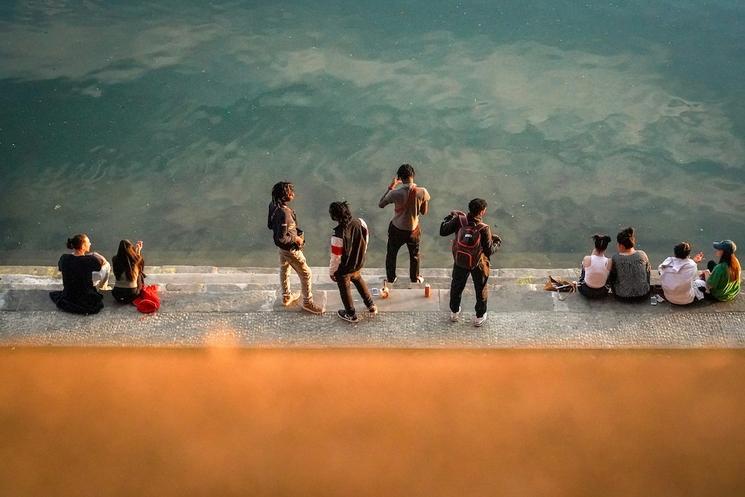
{"x":630,"y":269}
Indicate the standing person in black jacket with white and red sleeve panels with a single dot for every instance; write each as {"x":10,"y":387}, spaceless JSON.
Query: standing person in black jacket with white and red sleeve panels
{"x":348,"y":250}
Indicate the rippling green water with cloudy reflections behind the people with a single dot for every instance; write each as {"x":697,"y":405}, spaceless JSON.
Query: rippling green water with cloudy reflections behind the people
{"x":170,"y":123}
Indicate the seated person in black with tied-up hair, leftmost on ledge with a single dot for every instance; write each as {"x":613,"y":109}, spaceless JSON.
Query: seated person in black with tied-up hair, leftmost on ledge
{"x":80,"y":294}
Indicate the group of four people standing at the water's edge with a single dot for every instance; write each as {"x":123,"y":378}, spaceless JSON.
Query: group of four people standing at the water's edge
{"x":473,"y":244}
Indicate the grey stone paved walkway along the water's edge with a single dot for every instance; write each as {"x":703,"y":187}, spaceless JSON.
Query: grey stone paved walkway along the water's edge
{"x":208,"y":305}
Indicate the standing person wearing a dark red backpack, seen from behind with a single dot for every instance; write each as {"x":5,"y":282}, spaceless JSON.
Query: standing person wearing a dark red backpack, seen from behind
{"x":472,"y":246}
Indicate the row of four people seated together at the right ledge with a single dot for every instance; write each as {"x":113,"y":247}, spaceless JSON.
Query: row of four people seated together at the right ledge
{"x":626,"y":274}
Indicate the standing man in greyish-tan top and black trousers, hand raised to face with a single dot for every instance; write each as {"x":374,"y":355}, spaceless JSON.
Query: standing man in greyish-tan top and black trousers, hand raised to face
{"x":410,"y":201}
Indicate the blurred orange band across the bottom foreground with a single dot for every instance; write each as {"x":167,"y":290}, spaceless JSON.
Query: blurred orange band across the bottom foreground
{"x":223,"y":422}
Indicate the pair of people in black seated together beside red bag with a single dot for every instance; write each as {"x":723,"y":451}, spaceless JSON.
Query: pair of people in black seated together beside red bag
{"x":85,"y":272}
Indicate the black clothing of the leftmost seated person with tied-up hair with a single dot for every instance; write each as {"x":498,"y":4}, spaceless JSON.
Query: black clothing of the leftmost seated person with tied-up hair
{"x":79,"y":295}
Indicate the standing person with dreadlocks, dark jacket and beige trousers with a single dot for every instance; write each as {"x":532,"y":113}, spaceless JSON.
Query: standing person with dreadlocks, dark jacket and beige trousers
{"x":289,"y":239}
